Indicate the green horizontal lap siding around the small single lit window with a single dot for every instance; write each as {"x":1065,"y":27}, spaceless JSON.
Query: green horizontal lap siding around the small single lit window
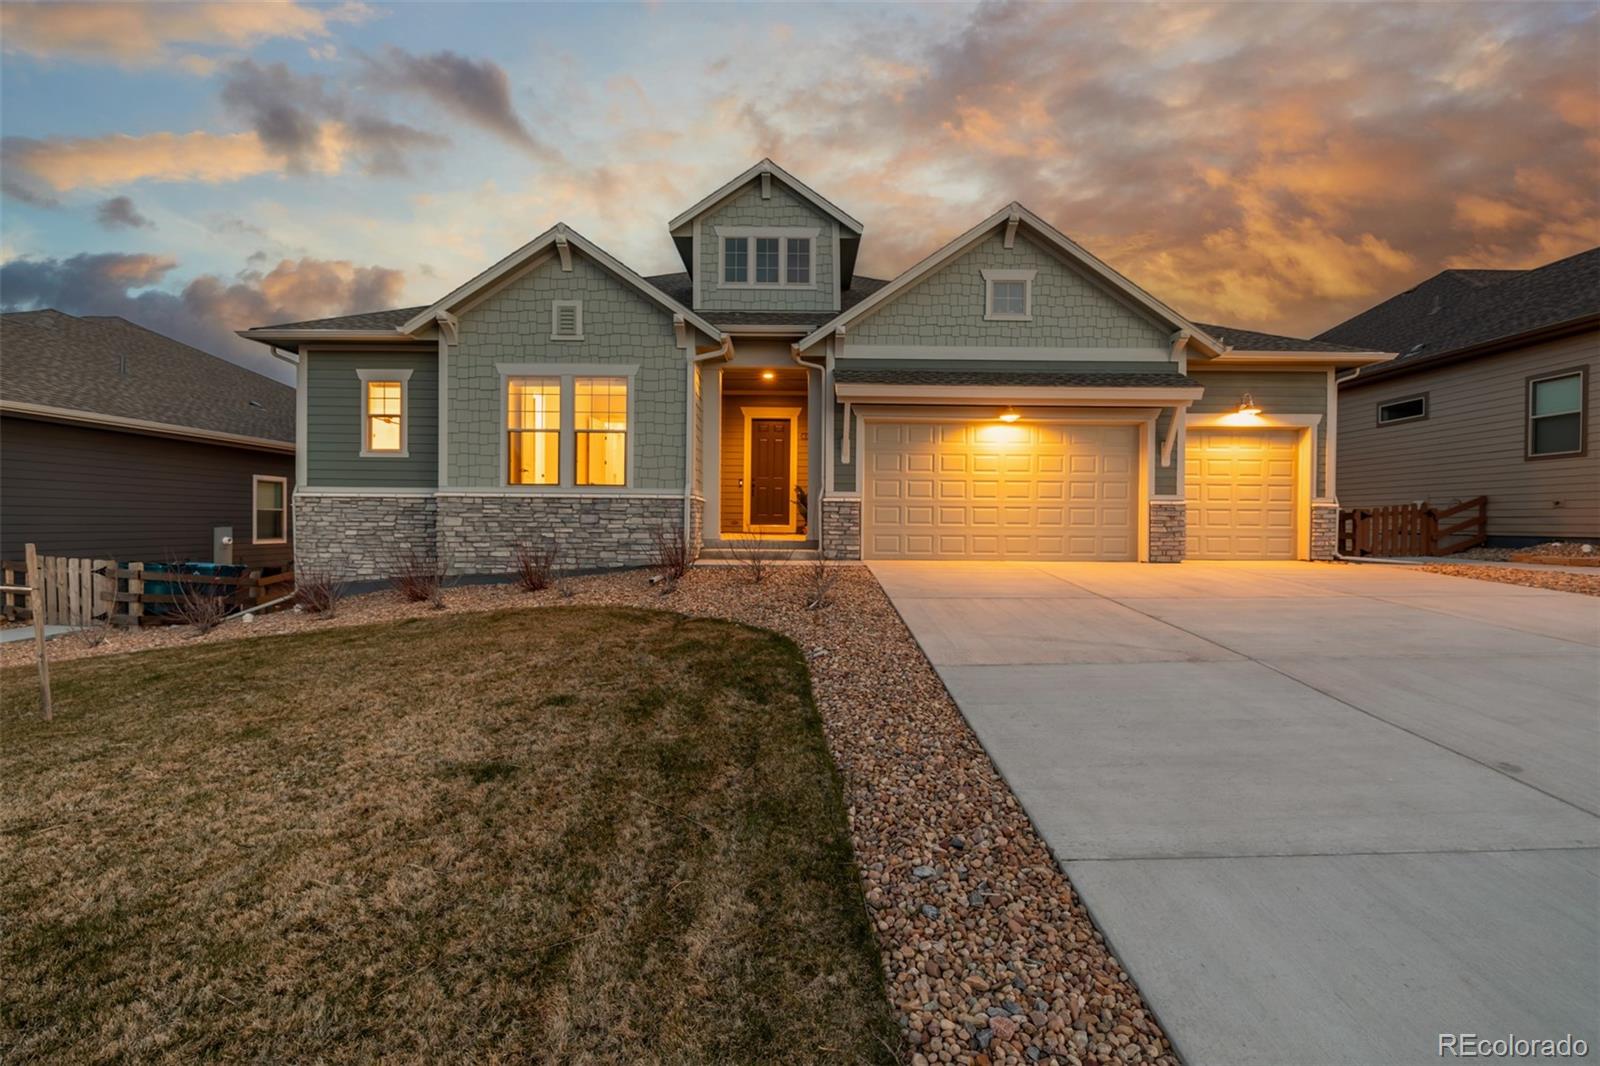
{"x":334,"y":422}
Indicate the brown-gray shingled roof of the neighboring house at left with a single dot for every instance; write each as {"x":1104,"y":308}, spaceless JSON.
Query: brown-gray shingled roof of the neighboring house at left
{"x":119,"y":371}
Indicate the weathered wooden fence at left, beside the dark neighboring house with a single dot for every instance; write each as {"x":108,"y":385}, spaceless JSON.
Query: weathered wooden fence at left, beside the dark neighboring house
{"x":89,"y":591}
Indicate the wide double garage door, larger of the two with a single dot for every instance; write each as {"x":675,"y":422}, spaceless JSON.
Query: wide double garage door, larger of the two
{"x":986,"y":491}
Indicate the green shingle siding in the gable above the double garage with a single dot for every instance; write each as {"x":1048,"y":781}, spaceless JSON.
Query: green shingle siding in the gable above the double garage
{"x":1071,"y":310}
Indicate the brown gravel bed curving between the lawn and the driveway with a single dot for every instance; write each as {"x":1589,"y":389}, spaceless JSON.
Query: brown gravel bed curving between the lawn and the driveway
{"x":990,"y":955}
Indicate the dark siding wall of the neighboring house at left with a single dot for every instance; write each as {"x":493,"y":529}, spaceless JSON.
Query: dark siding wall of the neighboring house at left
{"x":98,"y":494}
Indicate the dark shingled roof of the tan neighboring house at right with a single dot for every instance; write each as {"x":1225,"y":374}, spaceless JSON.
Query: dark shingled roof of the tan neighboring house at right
{"x":1455,"y":311}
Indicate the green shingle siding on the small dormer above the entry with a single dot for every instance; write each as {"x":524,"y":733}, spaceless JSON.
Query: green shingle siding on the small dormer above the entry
{"x":782,"y":212}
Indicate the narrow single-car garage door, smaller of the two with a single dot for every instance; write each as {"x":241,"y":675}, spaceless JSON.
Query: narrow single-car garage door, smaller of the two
{"x":1241,"y":494}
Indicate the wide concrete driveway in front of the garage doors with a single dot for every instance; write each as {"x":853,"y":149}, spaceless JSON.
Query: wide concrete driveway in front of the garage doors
{"x":1322,"y":814}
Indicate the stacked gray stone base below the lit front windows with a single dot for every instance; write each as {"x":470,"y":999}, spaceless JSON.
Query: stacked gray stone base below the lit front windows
{"x":361,"y":537}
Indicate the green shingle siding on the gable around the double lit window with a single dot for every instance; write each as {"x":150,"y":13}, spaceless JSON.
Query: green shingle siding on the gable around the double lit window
{"x":622,"y":326}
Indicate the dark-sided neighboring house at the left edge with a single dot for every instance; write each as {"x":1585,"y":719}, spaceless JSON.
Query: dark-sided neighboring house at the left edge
{"x":121,"y":443}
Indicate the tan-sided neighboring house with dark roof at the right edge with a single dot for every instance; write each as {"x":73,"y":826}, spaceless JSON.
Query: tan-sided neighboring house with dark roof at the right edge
{"x":1490,"y":396}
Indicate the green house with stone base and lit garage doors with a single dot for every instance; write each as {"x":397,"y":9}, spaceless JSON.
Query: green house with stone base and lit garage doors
{"x":1007,"y":398}
